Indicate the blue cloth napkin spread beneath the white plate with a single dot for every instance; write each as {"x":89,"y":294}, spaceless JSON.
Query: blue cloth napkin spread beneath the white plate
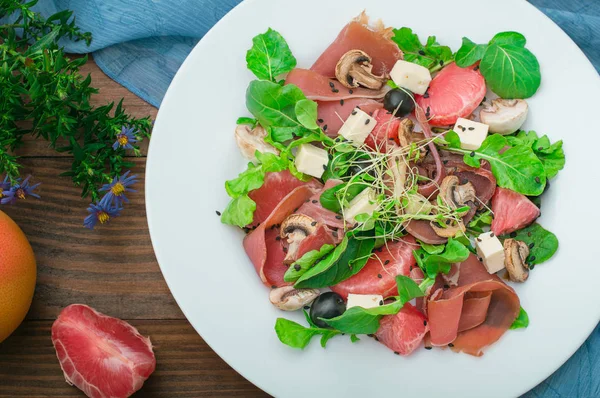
{"x":142,"y":43}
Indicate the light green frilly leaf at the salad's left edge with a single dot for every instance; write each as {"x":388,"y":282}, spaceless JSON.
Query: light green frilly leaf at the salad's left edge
{"x":240,"y":211}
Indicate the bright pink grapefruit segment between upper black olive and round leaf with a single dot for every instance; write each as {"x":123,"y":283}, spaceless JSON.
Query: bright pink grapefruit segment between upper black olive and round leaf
{"x":454,"y":92}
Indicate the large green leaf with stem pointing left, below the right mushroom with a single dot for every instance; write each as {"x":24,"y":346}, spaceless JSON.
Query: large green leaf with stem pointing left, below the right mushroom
{"x":516,"y":168}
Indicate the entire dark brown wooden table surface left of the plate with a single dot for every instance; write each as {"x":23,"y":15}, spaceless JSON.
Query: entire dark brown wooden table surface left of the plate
{"x":112,"y":269}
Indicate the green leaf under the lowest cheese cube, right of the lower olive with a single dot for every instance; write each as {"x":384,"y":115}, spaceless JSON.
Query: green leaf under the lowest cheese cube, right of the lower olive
{"x":358,"y":320}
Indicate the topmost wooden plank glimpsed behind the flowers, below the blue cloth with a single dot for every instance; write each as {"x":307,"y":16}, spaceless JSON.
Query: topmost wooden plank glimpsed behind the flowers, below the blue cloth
{"x":109,"y":92}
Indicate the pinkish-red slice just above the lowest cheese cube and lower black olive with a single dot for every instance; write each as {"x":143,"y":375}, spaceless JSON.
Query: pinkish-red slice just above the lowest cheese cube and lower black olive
{"x":379,"y":273}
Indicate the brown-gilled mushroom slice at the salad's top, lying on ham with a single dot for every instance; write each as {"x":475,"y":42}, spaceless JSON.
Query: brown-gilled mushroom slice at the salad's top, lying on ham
{"x":354,"y":69}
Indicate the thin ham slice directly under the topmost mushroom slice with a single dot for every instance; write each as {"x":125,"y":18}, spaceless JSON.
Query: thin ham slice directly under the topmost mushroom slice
{"x":320,"y":88}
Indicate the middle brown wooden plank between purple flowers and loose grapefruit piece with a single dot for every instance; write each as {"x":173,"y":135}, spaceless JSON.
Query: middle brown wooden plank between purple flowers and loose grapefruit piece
{"x":112,"y":268}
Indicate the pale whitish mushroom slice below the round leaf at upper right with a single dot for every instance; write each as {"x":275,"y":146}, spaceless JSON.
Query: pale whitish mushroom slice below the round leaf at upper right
{"x":504,"y":116}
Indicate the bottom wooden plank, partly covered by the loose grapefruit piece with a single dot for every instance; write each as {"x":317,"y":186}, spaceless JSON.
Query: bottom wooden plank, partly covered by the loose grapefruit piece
{"x":186,"y":366}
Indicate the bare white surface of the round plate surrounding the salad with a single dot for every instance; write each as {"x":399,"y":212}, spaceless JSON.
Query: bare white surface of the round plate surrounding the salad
{"x":193,"y":152}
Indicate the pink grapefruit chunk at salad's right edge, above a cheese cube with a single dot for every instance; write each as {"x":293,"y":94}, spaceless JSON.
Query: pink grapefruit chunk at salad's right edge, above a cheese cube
{"x":512,"y":211}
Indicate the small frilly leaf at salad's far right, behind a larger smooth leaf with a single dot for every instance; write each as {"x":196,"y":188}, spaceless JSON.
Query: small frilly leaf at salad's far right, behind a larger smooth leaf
{"x":551,"y":155}
